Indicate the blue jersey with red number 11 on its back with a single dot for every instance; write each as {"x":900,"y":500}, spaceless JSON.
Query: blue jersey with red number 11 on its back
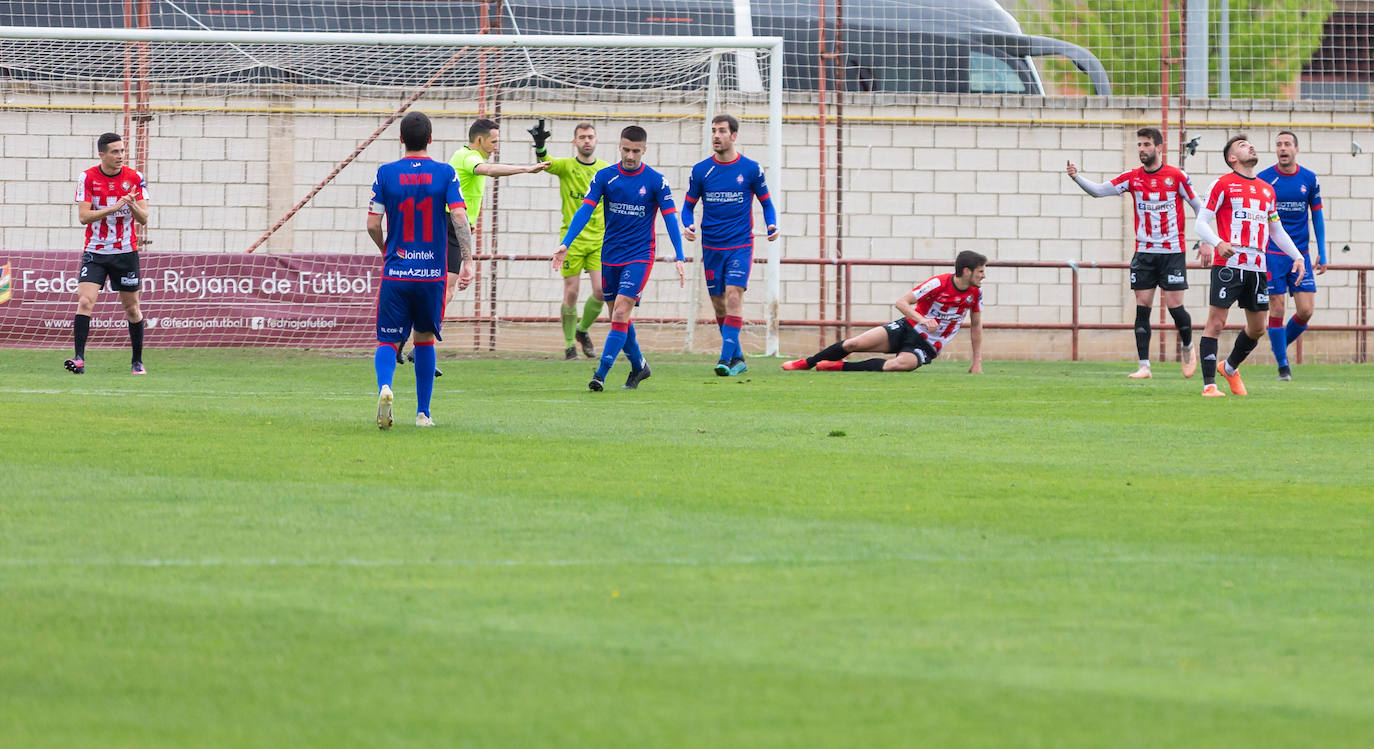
{"x":413,"y":193}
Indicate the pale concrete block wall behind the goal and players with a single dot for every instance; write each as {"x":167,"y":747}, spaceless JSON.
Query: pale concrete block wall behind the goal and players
{"x":923,"y":181}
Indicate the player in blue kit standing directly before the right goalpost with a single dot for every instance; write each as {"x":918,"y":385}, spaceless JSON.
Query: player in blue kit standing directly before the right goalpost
{"x":726,"y":185}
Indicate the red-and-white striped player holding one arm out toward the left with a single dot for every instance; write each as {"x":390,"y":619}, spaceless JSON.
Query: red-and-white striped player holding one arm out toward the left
{"x":1159,"y":262}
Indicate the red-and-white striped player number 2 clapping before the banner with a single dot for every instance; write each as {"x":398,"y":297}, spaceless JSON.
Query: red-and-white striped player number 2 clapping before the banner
{"x":112,"y":204}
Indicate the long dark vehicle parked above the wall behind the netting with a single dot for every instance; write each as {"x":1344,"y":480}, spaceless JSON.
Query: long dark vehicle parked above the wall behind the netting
{"x":890,"y":46}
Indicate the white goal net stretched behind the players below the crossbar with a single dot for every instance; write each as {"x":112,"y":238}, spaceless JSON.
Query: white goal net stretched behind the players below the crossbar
{"x":271,"y":144}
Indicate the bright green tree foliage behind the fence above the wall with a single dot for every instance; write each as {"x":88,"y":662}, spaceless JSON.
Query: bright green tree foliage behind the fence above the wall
{"x":1270,"y":43}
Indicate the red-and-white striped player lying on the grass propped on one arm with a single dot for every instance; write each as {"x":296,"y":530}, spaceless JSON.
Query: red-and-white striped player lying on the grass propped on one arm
{"x":938,"y":304}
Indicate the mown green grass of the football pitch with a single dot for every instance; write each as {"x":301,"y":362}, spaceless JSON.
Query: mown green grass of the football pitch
{"x":227,"y":553}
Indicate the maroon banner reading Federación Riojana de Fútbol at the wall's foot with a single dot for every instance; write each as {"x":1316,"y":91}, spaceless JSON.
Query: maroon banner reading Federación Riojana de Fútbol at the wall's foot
{"x":317,"y":302}
